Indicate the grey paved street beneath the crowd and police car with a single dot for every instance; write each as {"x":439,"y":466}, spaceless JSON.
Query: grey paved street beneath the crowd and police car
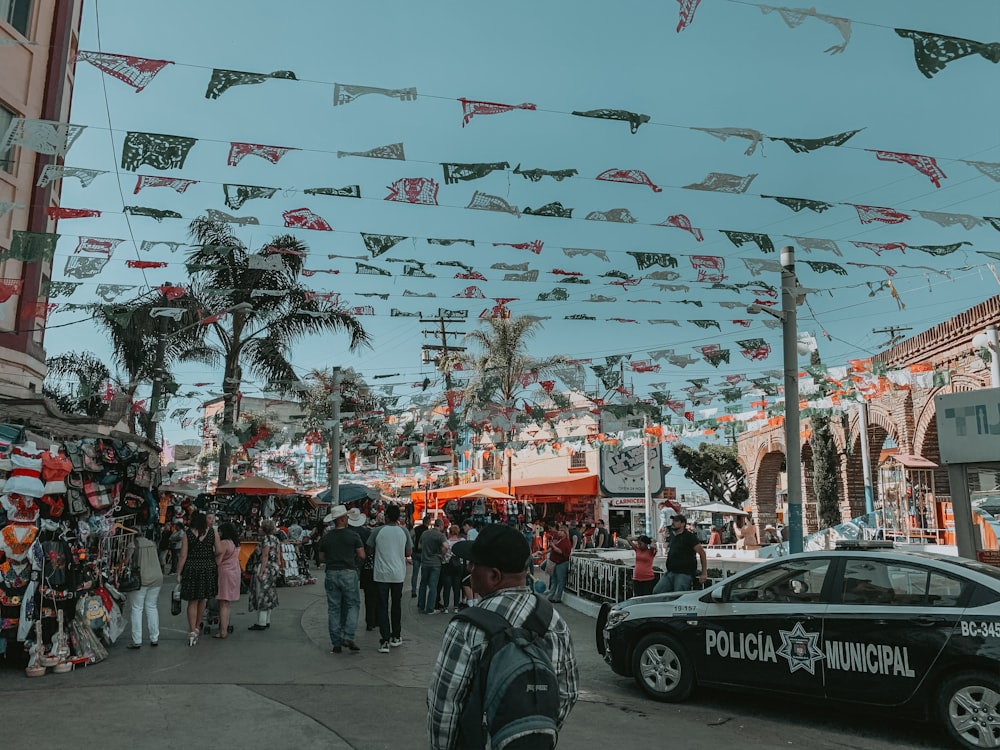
{"x":283,"y":689}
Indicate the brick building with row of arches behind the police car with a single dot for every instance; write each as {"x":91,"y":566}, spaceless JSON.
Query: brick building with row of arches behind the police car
{"x":903,"y":417}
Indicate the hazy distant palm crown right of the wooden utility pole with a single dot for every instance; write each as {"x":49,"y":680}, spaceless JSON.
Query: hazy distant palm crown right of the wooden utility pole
{"x":500,"y":366}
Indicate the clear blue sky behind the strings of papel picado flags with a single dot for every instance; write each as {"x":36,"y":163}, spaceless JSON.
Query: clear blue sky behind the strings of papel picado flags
{"x":732,"y":67}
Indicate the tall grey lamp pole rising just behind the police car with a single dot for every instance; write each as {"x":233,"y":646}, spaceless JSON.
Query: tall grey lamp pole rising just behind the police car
{"x":790,"y":291}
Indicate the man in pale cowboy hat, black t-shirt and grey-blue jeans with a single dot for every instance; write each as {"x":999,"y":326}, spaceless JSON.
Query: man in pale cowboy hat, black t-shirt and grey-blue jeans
{"x":338,"y":550}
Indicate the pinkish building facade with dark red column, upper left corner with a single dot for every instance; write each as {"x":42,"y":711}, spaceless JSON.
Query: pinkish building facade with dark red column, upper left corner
{"x":38,"y":42}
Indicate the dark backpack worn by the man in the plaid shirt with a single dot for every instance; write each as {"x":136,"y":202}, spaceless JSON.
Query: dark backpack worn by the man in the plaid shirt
{"x":514,"y":699}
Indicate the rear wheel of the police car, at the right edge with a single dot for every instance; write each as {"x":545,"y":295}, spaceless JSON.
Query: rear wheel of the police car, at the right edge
{"x":968,"y":705}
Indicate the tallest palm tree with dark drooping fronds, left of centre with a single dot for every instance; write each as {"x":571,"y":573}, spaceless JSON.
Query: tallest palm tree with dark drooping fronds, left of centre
{"x":270,"y":310}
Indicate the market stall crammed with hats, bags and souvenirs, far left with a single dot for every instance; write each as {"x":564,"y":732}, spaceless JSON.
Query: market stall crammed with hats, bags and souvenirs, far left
{"x":69,"y":516}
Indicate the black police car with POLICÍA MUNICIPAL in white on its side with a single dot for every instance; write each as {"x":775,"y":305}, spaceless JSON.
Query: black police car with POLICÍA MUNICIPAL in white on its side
{"x":914,"y":632}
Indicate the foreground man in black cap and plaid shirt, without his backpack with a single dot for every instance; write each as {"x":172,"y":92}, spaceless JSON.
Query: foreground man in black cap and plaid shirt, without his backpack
{"x":497,"y":561}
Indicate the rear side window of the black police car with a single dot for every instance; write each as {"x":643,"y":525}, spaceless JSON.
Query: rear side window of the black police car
{"x":898,"y":584}
